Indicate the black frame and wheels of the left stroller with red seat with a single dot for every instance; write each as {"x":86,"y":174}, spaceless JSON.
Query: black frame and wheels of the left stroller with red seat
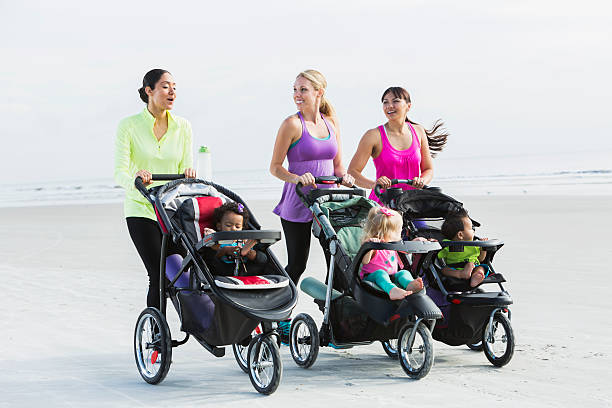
{"x":261,"y":346}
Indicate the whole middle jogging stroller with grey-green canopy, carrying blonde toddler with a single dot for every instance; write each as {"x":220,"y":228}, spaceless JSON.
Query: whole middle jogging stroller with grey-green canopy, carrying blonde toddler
{"x":357,"y":312}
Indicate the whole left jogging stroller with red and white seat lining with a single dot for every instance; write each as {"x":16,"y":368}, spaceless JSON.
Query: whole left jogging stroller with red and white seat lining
{"x":215,"y":310}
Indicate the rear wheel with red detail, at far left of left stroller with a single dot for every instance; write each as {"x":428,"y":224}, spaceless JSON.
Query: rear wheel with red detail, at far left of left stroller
{"x":152,"y":345}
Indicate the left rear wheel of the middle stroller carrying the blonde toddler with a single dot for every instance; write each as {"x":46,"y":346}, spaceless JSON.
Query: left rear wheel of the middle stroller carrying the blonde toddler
{"x":304,"y":340}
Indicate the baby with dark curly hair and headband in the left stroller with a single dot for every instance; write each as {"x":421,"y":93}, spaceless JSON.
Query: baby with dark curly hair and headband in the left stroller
{"x":232,"y":216}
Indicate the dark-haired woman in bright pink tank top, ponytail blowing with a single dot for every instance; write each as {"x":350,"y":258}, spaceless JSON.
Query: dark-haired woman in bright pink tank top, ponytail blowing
{"x":400,"y":149}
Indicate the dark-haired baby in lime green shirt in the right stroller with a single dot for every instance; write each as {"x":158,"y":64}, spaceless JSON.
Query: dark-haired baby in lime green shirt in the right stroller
{"x":466,"y":264}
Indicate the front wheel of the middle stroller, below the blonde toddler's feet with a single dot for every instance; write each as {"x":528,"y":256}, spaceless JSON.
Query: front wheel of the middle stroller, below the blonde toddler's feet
{"x":416,"y":357}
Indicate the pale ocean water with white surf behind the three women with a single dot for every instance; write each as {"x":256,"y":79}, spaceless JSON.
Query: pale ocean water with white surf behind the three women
{"x":560,"y":174}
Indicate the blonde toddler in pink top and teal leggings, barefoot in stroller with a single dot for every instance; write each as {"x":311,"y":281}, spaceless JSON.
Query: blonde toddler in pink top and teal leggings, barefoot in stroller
{"x":381,"y":266}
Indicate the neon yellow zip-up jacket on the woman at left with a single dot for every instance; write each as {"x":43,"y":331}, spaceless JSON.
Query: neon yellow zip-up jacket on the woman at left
{"x":137,"y":148}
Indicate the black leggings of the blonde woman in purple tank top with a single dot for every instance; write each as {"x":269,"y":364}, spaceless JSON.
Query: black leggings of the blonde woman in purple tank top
{"x":297,"y":239}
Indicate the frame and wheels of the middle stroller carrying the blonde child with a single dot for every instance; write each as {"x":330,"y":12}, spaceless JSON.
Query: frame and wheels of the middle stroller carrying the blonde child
{"x":407,"y":319}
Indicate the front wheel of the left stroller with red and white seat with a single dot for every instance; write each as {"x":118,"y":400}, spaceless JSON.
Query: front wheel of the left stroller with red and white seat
{"x":265,"y":365}
